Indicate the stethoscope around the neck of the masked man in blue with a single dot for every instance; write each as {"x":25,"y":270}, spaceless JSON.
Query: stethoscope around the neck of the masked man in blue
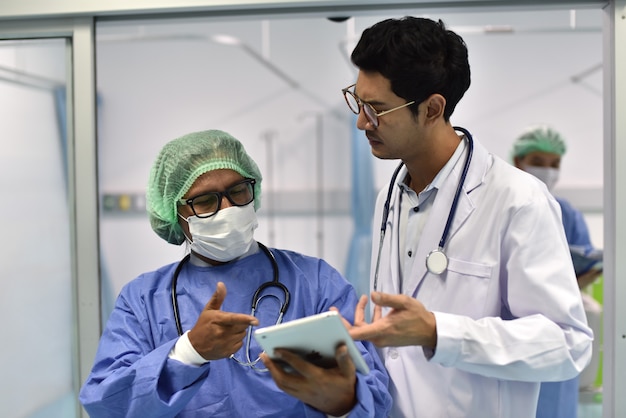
{"x":256,"y":299}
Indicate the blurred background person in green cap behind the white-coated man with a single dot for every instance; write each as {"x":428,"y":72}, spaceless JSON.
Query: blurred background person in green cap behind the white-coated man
{"x":538,"y":151}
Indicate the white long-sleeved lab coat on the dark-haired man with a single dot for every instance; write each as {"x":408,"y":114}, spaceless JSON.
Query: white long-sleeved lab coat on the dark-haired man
{"x":508,"y":309}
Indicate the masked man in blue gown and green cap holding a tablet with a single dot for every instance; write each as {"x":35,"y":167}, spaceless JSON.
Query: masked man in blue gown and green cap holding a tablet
{"x":198,"y":359}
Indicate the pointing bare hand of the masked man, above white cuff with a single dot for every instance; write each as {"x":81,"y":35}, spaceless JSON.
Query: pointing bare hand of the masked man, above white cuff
{"x":218,"y":334}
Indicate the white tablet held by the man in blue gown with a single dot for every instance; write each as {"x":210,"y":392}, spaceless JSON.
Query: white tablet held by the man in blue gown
{"x":315,"y":338}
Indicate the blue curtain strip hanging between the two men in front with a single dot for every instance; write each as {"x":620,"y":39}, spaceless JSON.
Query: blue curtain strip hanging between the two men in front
{"x":363,"y":197}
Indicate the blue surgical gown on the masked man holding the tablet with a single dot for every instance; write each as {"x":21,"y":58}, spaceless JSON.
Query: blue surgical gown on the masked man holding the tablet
{"x":133,"y":375}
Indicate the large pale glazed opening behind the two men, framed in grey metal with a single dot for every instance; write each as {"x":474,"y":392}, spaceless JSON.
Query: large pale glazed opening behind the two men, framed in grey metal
{"x":275,"y":83}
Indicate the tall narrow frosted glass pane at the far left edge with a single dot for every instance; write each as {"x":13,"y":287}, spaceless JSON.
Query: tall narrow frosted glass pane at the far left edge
{"x":35,"y":266}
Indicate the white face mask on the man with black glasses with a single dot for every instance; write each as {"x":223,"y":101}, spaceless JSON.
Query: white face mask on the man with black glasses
{"x":224,"y":236}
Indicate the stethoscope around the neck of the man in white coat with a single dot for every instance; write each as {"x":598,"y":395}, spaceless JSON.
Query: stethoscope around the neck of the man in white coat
{"x":436,"y":261}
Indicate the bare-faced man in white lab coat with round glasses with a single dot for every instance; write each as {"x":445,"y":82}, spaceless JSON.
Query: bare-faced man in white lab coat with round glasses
{"x":470,"y":330}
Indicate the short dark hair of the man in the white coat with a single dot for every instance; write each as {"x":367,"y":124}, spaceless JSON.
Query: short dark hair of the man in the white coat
{"x":419,"y":56}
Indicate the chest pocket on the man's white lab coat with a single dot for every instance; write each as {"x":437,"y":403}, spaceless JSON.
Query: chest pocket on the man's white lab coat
{"x":467,"y":287}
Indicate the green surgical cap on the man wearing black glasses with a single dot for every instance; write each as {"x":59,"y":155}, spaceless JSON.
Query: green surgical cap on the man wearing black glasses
{"x":178,"y":166}
